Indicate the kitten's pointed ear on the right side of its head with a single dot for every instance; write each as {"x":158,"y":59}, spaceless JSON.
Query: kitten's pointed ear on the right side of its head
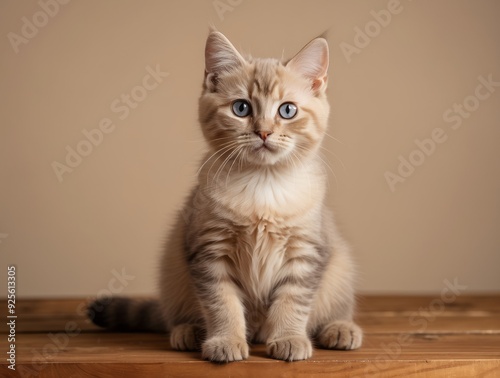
{"x":312,"y":62}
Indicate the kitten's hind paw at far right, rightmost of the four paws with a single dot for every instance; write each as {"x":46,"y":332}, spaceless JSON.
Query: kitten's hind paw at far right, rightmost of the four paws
{"x":341,"y":335}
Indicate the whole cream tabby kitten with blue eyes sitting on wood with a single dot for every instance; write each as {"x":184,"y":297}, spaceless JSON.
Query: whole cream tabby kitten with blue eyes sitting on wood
{"x":254,"y":255}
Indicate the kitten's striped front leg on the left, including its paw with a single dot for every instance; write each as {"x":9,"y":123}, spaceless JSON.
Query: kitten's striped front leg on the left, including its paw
{"x":222,"y":310}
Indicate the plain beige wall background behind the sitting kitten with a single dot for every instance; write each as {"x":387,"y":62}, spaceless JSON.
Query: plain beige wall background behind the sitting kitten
{"x":112,"y":212}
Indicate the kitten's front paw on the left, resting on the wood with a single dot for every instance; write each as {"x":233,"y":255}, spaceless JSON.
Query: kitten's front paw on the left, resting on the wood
{"x":225,"y":349}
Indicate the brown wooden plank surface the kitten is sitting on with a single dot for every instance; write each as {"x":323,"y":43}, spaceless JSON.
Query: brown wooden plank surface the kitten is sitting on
{"x":404,"y":336}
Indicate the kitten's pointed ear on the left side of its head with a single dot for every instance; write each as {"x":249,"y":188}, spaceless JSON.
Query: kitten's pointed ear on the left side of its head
{"x":220,"y":54}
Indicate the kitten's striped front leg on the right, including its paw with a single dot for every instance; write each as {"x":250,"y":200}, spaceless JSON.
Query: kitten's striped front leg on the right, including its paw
{"x":292,"y":297}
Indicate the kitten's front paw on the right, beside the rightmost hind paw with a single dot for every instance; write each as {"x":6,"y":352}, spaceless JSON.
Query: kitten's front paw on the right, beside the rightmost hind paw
{"x":291,"y":348}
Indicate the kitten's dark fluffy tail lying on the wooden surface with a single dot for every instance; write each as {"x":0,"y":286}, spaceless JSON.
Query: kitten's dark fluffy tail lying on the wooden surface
{"x":126,"y":314}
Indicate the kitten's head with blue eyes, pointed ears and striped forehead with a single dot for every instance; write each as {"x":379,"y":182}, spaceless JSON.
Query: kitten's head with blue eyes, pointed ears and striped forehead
{"x":263,"y":111}
